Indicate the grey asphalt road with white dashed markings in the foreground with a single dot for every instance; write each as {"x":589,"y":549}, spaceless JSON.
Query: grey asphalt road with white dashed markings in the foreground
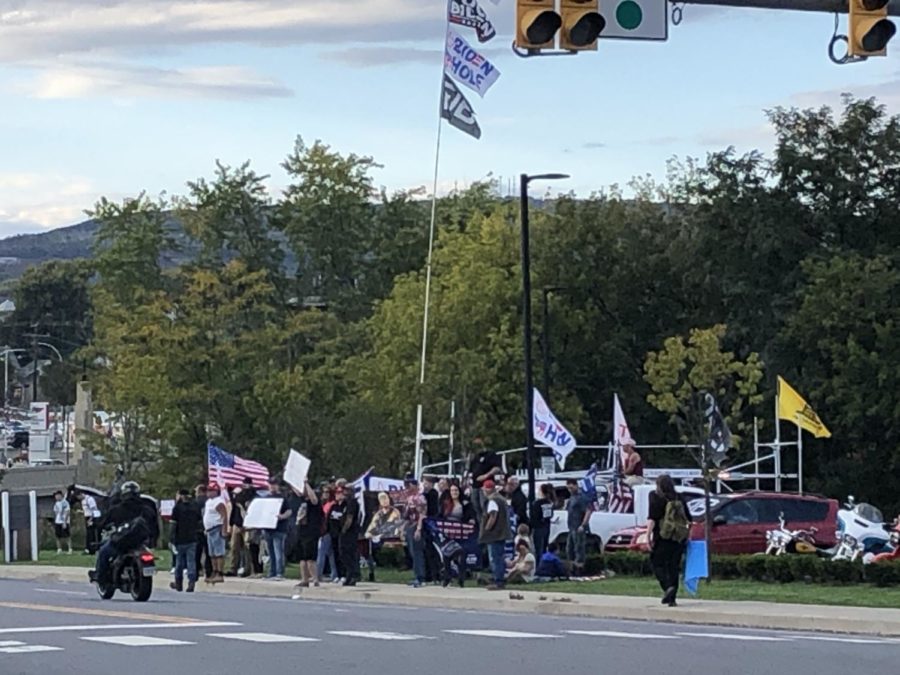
{"x":60,"y":629}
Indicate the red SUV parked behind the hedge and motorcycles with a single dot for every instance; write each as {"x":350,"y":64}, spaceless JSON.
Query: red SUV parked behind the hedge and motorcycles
{"x":740,"y":522}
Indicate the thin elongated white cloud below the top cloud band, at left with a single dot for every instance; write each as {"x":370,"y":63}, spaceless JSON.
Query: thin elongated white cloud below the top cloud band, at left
{"x":78,"y":80}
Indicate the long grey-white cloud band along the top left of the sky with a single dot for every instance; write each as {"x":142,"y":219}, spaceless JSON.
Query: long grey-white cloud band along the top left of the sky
{"x":39,"y":29}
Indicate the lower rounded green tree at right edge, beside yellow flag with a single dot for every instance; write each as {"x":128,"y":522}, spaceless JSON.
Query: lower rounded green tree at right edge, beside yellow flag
{"x":841,"y":344}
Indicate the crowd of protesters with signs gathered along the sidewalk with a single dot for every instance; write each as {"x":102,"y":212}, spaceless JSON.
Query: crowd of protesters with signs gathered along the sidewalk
{"x":444,"y":526}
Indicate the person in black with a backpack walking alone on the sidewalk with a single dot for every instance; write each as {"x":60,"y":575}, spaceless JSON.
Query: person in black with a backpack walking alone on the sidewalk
{"x":668,"y":529}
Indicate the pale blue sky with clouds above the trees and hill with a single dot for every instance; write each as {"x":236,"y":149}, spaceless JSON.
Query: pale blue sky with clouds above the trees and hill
{"x":114,"y":97}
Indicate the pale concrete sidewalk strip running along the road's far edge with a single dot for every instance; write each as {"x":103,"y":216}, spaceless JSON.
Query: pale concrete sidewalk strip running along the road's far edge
{"x":759,"y":615}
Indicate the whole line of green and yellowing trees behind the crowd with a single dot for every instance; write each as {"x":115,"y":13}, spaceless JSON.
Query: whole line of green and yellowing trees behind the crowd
{"x":294,"y":320}
